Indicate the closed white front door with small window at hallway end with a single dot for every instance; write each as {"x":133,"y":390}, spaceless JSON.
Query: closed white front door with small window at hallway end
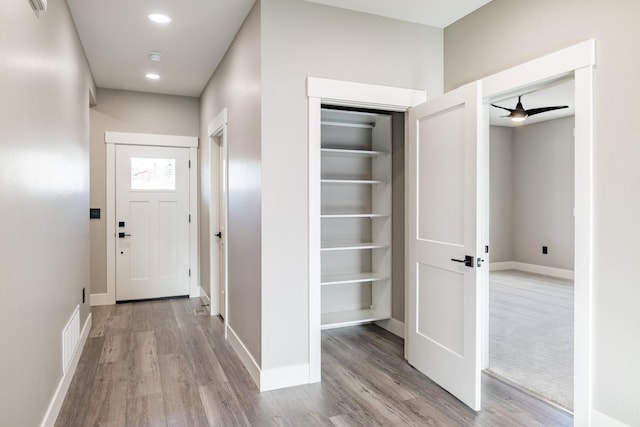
{"x":152,"y":222}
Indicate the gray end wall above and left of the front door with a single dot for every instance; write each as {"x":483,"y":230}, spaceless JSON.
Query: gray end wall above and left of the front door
{"x":126,"y":111}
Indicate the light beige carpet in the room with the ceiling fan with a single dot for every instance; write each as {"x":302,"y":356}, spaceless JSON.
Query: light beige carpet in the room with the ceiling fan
{"x":531,"y":333}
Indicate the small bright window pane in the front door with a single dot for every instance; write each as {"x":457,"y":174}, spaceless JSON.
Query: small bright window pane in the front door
{"x":153,"y":174}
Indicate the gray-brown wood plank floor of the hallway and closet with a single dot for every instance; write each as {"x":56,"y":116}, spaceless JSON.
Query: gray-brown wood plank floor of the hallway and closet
{"x":166,"y":363}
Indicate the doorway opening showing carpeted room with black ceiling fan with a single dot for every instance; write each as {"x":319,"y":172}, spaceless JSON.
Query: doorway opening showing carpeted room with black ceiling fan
{"x":531,"y":288}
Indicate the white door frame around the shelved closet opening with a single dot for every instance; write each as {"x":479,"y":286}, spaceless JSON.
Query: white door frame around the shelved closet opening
{"x":351,"y":94}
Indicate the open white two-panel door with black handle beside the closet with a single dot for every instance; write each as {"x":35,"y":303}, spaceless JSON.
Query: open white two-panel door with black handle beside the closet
{"x":443,"y":302}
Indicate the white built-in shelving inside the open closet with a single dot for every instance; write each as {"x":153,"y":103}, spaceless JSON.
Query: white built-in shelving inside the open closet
{"x":355,"y":217}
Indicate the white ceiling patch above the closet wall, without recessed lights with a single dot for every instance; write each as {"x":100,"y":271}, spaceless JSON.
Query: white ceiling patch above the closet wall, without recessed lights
{"x":437,"y":13}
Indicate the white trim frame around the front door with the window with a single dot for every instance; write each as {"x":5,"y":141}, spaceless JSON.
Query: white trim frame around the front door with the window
{"x":111,"y":139}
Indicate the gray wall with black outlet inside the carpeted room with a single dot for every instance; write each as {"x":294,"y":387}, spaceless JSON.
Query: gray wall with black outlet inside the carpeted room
{"x":543,"y":193}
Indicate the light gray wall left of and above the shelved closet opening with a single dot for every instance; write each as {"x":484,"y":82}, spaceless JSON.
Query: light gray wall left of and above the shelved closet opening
{"x":302,"y":39}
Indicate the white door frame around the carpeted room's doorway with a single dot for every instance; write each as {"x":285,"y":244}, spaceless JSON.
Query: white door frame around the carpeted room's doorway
{"x":578,"y":60}
